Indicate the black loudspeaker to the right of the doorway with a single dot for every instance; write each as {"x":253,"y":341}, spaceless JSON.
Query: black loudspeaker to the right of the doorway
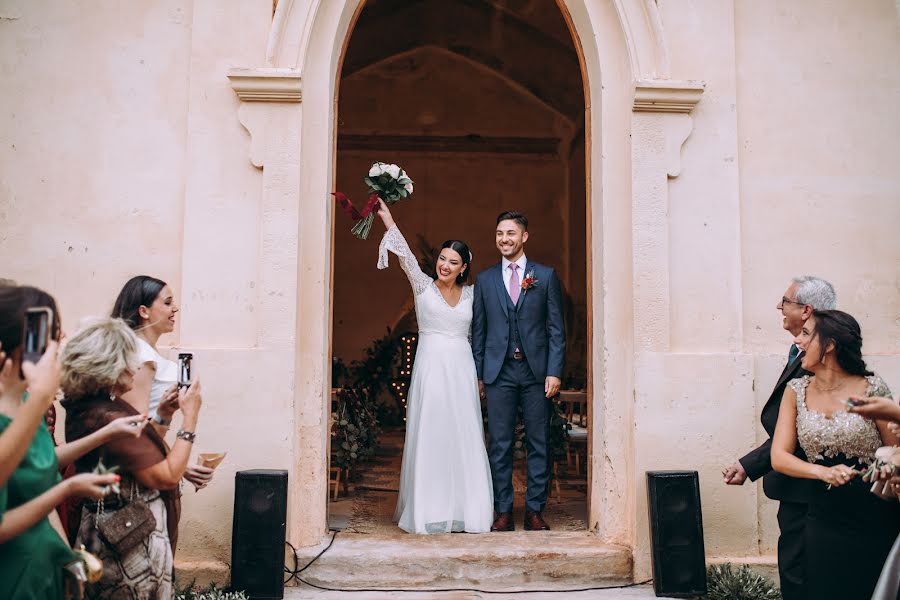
{"x":676,"y":532}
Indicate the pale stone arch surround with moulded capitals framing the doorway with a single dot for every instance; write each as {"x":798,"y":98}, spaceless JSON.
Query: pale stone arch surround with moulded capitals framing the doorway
{"x":638,"y":120}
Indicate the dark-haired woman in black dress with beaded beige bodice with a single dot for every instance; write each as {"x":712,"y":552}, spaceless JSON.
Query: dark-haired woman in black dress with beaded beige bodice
{"x":849,"y":531}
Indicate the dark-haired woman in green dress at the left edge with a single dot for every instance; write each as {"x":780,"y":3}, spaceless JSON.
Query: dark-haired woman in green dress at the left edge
{"x":33,"y":550}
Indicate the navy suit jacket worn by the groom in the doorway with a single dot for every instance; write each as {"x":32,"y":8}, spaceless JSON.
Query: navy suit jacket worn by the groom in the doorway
{"x":540,"y":317}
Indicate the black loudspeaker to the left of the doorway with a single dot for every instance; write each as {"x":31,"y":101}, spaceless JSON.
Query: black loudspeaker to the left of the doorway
{"x":258,"y":533}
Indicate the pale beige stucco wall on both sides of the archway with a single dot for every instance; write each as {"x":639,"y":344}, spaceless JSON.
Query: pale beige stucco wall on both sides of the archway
{"x":122,"y":153}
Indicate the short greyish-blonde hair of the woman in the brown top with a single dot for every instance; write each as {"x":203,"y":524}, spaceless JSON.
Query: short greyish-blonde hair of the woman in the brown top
{"x":94,"y":359}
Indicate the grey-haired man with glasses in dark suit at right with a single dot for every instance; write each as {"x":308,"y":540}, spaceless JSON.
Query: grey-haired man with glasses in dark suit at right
{"x":803,"y":295}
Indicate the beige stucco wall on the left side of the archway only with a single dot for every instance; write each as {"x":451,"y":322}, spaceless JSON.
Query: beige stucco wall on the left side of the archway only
{"x":122,"y":155}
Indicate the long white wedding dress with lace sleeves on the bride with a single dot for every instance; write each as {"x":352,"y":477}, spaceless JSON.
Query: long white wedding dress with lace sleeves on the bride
{"x":445,"y":480}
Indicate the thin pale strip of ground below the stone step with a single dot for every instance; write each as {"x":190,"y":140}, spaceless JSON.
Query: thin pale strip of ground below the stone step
{"x":643,"y":592}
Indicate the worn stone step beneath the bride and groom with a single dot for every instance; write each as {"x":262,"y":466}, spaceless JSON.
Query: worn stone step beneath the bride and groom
{"x":493,"y":561}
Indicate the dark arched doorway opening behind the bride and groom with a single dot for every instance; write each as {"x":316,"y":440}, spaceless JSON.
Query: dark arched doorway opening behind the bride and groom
{"x":483,"y":104}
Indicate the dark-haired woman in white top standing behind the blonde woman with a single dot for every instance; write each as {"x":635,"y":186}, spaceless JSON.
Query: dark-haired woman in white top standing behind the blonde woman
{"x":148,"y":306}
